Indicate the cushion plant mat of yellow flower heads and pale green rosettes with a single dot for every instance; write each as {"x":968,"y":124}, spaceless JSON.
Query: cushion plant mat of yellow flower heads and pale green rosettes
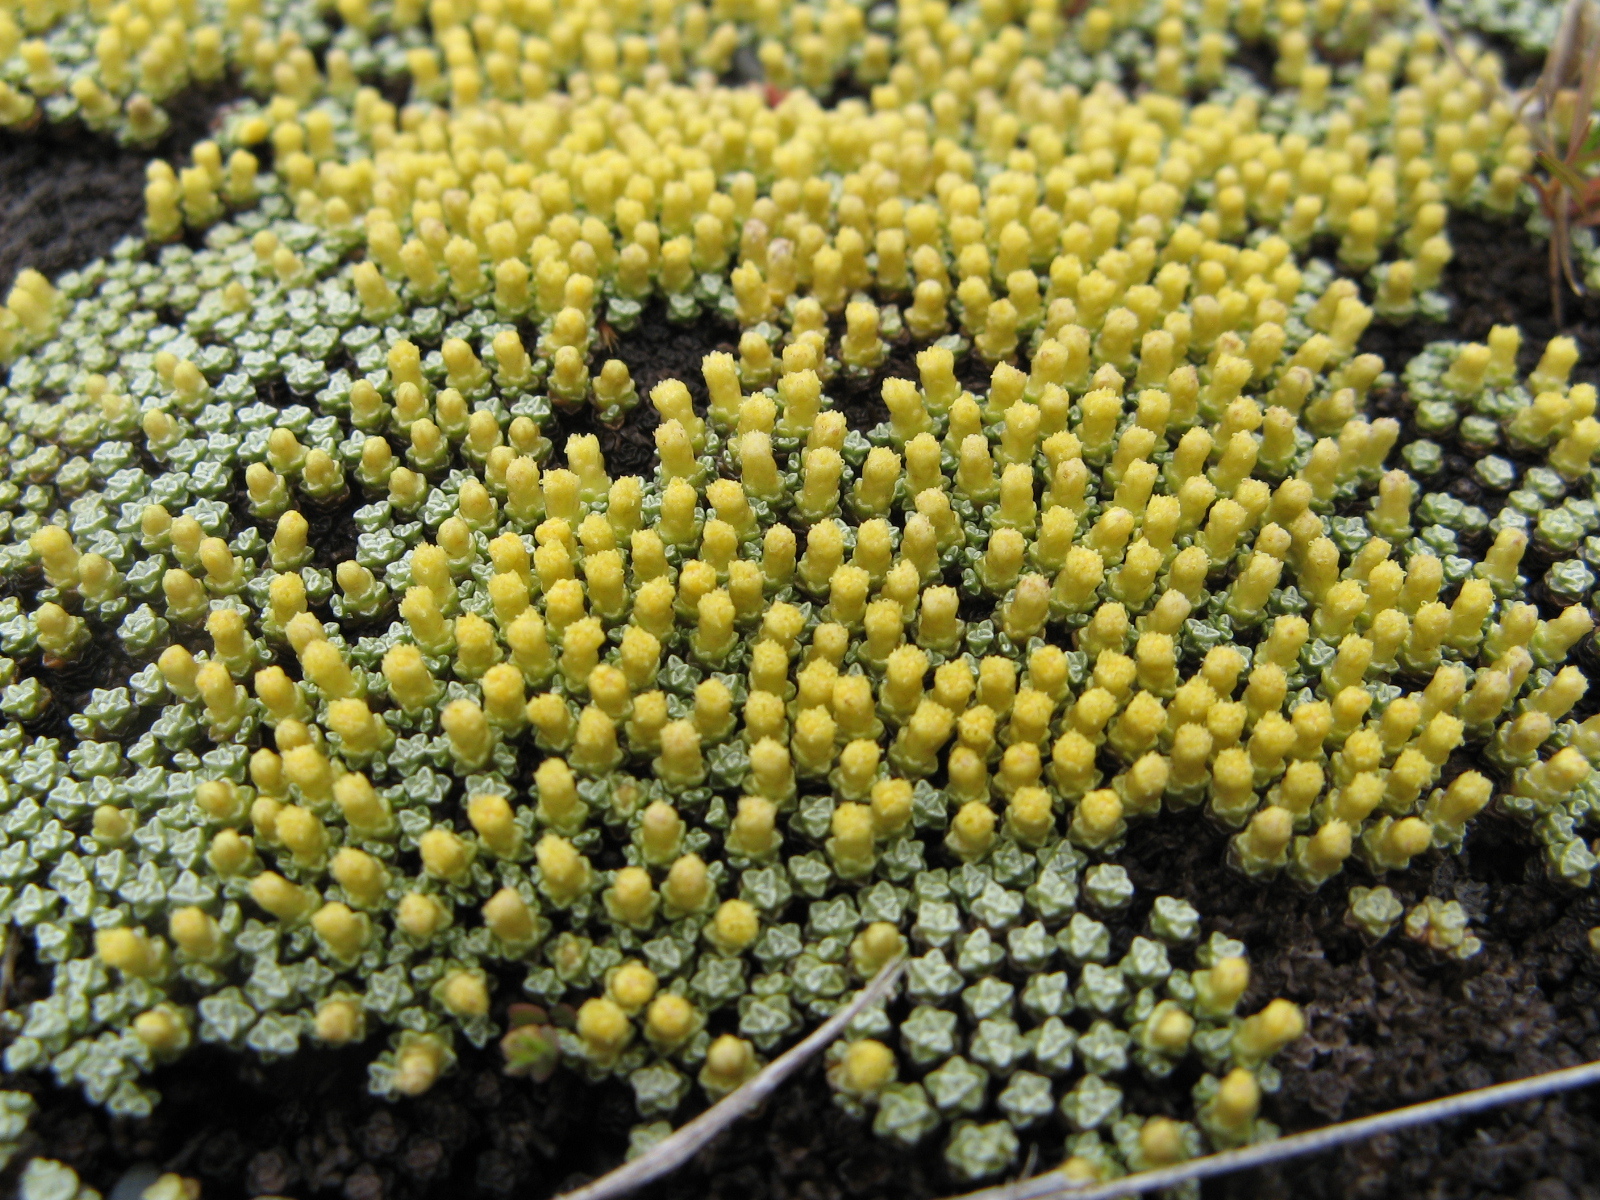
{"x":697,"y":753}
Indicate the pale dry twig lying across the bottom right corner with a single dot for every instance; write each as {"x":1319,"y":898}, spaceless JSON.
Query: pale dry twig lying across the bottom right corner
{"x":1314,"y":1142}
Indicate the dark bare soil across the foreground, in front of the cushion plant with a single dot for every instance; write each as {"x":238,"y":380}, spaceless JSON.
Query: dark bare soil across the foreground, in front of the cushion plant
{"x":1390,"y":1025}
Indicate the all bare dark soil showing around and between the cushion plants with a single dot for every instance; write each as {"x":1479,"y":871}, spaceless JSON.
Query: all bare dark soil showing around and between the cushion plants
{"x":1388,"y":1025}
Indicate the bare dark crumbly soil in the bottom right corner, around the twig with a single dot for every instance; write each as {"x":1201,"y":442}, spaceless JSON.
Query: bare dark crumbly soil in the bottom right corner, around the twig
{"x":1393,"y":1025}
